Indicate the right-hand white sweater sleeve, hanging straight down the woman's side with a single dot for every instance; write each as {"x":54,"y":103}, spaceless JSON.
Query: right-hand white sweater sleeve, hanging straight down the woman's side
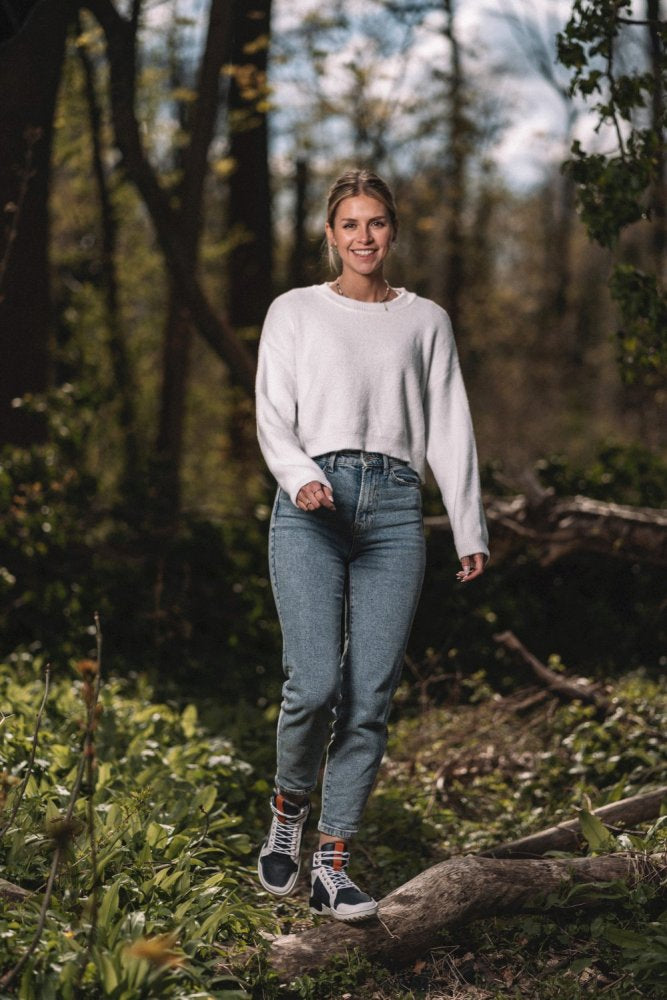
{"x":450,"y":445}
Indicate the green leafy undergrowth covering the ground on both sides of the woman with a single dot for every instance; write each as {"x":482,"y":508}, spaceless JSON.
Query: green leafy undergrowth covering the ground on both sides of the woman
{"x":166,"y":903}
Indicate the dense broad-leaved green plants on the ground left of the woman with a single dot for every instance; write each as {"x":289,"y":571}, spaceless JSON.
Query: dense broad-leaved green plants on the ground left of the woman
{"x":148,"y":912}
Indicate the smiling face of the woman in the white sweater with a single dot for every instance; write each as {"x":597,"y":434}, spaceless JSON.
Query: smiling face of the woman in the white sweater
{"x":362,"y":232}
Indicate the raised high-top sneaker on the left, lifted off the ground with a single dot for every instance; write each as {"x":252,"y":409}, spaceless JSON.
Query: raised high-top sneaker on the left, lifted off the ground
{"x":279,"y":861}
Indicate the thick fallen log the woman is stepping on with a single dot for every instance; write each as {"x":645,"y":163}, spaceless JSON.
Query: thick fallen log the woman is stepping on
{"x":412,"y":917}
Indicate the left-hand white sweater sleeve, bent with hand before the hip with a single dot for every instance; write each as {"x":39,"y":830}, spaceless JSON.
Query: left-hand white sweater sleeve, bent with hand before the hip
{"x":277,"y":409}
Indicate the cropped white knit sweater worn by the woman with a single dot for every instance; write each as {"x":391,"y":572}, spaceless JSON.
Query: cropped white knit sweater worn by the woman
{"x":336,"y":374}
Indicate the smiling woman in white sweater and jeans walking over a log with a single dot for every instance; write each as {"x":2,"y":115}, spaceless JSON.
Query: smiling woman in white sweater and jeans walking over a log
{"x":358,"y":385}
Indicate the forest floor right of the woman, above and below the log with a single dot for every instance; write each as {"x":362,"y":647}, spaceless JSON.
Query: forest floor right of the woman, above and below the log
{"x":457,"y":779}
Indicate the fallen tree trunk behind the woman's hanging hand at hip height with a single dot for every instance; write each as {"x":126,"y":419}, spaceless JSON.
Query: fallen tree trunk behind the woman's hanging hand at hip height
{"x":557,"y":526}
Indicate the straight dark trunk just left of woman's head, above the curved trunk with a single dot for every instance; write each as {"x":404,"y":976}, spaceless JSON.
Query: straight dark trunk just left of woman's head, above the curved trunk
{"x":249,"y":213}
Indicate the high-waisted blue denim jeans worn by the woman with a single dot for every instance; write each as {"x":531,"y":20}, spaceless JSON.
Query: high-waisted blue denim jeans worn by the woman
{"x":346,"y":585}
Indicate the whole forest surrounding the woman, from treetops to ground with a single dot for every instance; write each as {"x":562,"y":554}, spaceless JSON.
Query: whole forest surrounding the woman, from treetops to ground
{"x":163,"y":178}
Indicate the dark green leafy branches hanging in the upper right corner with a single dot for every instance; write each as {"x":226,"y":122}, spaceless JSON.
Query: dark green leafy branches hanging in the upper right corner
{"x":617,"y":189}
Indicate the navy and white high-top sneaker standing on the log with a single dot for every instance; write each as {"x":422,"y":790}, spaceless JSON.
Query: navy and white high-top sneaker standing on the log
{"x":333,"y":892}
